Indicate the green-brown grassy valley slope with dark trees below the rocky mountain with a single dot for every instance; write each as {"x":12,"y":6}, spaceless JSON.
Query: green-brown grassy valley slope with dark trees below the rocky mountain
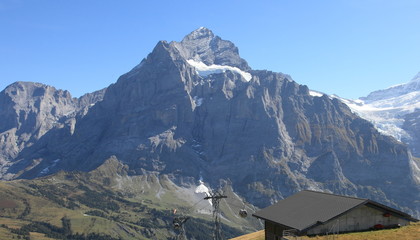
{"x":103,"y":204}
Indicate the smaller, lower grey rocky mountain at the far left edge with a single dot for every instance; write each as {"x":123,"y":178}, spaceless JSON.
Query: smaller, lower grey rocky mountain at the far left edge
{"x":30,"y":110}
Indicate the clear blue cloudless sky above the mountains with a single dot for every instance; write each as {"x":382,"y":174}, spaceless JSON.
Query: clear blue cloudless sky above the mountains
{"x":343,"y":47}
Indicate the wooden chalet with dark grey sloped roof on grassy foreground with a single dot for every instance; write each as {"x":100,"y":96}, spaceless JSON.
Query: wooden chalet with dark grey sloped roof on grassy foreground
{"x":317,"y":213}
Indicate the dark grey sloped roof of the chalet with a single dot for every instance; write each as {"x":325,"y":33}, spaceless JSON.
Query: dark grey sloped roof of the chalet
{"x":306,"y":208}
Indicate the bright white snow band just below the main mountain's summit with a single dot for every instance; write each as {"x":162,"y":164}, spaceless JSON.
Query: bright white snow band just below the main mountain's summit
{"x":205,"y":70}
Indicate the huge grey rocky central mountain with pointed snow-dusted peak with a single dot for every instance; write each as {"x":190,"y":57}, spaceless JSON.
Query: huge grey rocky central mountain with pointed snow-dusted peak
{"x":195,"y":110}
